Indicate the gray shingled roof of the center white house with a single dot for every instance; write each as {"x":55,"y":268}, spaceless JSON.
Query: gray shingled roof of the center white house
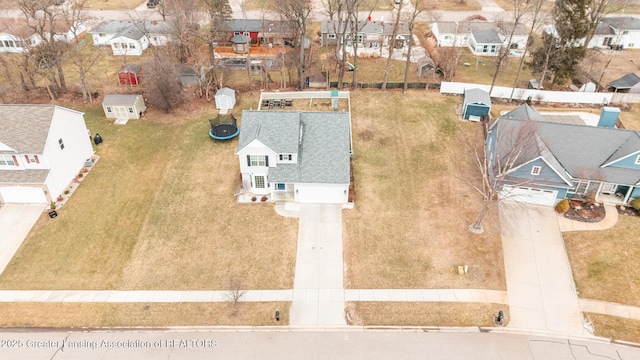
{"x":323,"y":152}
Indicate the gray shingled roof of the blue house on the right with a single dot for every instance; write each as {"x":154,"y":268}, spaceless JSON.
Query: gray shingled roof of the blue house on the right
{"x":582,"y":162}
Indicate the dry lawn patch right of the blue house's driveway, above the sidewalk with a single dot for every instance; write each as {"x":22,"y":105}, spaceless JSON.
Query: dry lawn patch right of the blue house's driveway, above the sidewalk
{"x":602,"y":262}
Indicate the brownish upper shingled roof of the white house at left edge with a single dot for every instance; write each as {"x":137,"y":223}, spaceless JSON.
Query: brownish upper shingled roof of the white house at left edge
{"x":25,"y":128}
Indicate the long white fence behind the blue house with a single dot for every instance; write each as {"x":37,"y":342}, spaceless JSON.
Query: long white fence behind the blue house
{"x":569,"y":97}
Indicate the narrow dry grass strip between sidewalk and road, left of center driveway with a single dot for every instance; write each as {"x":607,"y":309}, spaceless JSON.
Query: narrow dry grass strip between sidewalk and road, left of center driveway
{"x":141,"y":314}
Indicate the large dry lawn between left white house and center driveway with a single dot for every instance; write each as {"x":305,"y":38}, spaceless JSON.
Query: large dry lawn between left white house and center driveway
{"x":158,"y":212}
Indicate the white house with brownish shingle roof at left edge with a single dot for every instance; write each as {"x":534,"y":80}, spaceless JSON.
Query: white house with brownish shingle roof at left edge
{"x":42,"y":149}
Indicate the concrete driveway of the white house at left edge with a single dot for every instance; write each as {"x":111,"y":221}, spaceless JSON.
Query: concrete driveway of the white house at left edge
{"x":16,"y":220}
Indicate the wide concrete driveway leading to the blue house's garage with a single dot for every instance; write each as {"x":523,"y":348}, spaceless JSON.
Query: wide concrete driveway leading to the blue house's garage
{"x":542,"y":294}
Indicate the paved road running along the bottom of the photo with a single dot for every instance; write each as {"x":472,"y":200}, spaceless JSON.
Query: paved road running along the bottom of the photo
{"x":279,"y":344}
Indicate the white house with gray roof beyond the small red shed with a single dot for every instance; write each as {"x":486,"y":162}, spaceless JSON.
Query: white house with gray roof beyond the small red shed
{"x":129,"y":37}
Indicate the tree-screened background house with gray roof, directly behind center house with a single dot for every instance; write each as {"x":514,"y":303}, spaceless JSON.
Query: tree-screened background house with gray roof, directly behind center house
{"x":372,"y":36}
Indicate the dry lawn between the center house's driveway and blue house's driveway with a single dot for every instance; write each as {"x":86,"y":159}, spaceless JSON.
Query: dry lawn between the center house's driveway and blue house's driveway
{"x":409,"y":226}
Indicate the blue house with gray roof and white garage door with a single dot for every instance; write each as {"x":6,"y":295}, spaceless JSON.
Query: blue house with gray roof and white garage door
{"x":551,"y":166}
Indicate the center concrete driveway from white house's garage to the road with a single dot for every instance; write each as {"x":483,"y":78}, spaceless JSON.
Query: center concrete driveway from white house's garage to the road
{"x":318,"y":291}
